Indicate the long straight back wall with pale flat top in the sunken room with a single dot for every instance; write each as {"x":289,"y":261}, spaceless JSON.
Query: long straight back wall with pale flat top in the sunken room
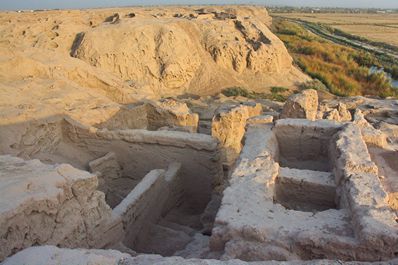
{"x":139,"y":151}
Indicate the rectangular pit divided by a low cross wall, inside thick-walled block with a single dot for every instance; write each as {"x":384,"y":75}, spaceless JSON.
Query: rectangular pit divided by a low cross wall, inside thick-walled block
{"x":305,"y":181}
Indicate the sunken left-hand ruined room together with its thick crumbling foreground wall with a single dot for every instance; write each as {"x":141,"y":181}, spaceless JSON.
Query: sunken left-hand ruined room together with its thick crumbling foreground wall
{"x":143,"y":192}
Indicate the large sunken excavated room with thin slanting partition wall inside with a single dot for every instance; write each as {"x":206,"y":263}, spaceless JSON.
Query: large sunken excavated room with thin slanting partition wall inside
{"x":159,"y":183}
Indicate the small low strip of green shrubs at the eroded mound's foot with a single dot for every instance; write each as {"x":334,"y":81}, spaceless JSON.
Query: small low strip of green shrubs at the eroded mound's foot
{"x":243,"y":92}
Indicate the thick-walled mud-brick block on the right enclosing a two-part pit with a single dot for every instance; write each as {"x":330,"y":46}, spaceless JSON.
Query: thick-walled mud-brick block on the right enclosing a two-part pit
{"x":305,"y":190}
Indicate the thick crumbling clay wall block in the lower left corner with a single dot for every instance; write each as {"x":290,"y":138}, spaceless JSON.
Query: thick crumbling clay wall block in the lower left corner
{"x":56,"y":205}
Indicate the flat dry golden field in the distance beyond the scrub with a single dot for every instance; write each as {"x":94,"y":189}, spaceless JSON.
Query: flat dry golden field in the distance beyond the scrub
{"x":375,"y":27}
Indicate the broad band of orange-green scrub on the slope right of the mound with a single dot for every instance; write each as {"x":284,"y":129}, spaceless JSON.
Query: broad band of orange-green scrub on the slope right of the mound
{"x":343,"y":70}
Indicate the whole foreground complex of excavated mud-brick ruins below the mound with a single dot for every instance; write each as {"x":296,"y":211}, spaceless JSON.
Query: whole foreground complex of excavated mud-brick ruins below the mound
{"x":259,"y":188}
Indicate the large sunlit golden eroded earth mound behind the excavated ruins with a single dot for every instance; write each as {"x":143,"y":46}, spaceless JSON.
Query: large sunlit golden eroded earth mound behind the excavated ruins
{"x":88,"y":60}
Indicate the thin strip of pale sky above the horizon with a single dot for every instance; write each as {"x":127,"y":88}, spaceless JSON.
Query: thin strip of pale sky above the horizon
{"x":50,"y":4}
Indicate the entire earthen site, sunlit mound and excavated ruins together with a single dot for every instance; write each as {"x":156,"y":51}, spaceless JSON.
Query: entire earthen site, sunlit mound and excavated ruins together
{"x":106,"y":157}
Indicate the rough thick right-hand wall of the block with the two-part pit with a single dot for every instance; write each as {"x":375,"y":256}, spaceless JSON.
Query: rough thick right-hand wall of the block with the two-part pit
{"x":362,"y":193}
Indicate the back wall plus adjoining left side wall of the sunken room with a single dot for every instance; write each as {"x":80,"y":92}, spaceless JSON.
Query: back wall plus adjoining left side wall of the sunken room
{"x":59,"y":140}
